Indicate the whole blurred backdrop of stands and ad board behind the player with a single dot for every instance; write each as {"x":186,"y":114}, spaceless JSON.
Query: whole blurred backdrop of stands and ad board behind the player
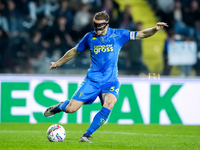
{"x":159,"y":75}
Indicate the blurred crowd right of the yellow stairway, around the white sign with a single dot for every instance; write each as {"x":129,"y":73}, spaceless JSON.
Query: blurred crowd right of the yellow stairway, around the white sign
{"x":183,"y":18}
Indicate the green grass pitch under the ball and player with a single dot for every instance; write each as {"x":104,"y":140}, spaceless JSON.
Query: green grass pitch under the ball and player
{"x":26,"y":136}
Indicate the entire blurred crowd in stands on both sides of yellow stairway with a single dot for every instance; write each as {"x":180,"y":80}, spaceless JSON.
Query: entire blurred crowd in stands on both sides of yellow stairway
{"x":35,"y":32}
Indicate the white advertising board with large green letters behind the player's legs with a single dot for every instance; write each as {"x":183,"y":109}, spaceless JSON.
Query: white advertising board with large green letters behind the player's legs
{"x":163,"y":101}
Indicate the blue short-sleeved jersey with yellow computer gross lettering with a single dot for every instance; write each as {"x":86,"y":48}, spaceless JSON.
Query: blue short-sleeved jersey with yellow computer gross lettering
{"x":104,"y":53}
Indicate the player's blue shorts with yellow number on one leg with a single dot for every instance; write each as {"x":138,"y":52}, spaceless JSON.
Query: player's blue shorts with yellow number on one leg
{"x":89,"y":90}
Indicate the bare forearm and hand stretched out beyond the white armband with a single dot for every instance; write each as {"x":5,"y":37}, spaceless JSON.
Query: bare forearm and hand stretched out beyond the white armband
{"x":150,"y":31}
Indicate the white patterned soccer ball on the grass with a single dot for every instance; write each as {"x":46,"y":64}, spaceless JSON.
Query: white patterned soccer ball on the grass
{"x":56,"y":133}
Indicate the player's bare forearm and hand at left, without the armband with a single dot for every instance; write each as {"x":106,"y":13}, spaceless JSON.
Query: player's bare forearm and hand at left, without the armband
{"x":66,"y":57}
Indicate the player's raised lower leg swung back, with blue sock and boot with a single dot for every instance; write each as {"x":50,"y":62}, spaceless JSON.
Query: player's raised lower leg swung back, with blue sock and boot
{"x":66,"y":106}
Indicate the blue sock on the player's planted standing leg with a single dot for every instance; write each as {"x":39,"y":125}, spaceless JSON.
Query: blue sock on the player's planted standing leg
{"x":98,"y":120}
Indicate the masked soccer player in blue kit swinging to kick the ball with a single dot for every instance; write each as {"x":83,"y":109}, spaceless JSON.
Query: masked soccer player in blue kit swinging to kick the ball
{"x":101,"y":80}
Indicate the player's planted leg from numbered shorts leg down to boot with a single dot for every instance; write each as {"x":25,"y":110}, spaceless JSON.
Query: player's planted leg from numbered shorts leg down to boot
{"x":108,"y":98}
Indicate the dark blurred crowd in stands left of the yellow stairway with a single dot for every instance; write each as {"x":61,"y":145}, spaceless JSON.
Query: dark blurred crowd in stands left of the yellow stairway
{"x":35,"y":32}
